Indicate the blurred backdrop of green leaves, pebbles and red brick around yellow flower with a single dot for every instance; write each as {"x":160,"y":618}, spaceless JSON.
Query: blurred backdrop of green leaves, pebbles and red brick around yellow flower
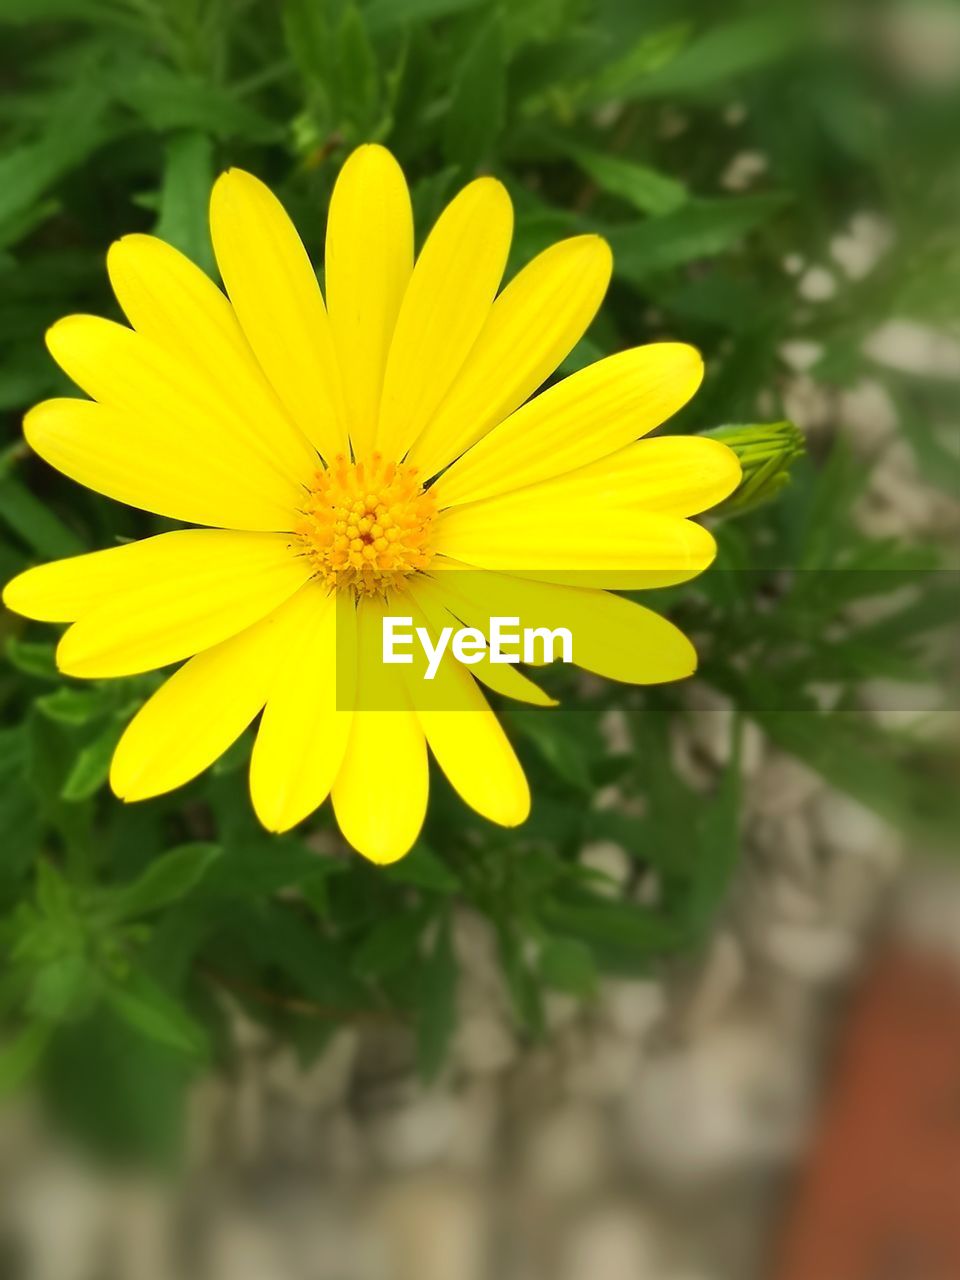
{"x":700,"y":1020}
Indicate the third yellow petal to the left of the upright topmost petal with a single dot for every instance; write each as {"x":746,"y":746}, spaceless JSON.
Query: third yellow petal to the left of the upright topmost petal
{"x":172,"y":405}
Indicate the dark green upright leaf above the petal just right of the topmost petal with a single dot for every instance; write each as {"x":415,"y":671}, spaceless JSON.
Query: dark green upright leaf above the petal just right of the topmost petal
{"x":478,"y":108}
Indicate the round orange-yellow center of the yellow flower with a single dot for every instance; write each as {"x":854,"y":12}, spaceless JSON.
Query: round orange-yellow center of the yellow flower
{"x":367,"y":524}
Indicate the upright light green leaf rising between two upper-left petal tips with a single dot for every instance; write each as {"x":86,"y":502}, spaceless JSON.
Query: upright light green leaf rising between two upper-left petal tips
{"x":185,"y":195}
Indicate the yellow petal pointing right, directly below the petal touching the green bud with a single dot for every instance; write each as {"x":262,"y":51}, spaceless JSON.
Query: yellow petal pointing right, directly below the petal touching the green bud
{"x":616,"y":545}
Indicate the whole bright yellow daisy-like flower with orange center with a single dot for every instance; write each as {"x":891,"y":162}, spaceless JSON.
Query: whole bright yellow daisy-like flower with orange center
{"x":344,"y":455}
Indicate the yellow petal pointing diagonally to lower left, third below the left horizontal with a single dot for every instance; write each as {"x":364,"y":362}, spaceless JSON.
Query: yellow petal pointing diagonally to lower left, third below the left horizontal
{"x":200,"y":711}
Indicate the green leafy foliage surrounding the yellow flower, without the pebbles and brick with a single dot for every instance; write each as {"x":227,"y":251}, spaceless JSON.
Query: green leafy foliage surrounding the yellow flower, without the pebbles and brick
{"x":124,"y":929}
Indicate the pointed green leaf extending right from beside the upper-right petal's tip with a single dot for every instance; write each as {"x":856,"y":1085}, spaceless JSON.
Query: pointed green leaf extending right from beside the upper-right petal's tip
{"x":700,"y":230}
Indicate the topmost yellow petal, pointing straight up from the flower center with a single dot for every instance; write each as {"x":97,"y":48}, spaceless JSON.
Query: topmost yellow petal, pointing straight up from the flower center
{"x":368,"y":266}
